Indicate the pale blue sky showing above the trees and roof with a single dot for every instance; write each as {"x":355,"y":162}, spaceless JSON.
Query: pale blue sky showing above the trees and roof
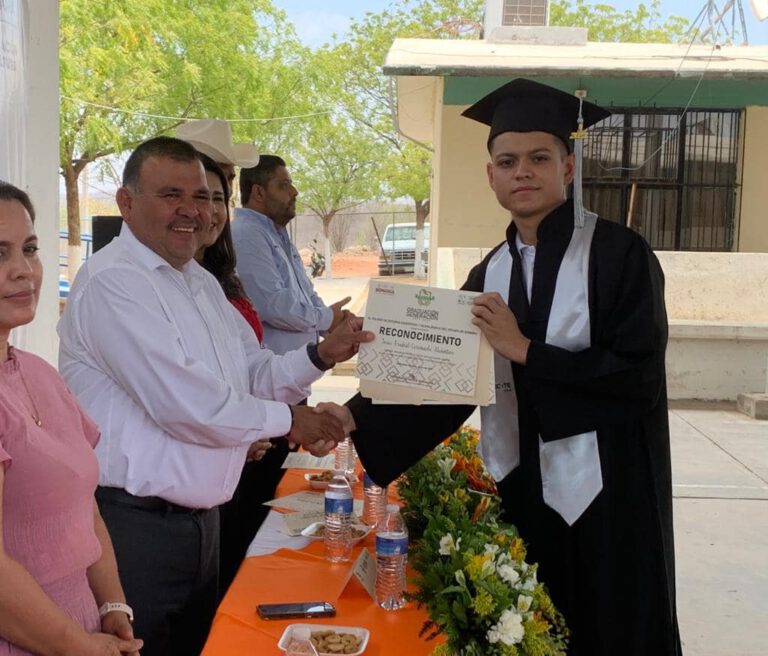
{"x":316,"y":21}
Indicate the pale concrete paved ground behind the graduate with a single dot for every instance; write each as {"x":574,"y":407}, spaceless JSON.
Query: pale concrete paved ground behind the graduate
{"x":720,"y":477}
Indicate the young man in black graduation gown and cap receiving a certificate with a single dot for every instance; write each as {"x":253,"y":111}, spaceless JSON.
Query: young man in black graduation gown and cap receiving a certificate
{"x":583,"y":459}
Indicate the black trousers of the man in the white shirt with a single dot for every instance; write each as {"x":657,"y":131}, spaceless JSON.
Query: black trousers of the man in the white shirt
{"x":168,"y":559}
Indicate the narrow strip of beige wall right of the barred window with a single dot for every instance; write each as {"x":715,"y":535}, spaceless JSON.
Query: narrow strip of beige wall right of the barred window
{"x":753,"y":223}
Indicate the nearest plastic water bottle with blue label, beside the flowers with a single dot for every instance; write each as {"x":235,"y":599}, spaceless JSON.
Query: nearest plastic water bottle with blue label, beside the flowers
{"x":391,"y":558}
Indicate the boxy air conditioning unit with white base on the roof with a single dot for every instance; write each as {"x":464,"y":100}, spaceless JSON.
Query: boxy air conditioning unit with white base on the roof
{"x":526,"y":21}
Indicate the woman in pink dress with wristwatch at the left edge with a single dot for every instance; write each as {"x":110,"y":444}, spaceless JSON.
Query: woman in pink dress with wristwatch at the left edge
{"x":59,"y":588}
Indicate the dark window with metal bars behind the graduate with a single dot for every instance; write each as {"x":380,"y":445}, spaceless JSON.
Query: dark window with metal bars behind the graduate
{"x":671,"y":179}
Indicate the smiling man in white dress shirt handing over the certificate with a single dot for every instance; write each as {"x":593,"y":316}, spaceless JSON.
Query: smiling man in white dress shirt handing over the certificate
{"x":180,"y":388}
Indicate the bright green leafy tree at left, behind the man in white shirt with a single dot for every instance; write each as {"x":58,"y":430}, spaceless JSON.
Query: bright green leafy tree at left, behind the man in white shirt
{"x":133,"y":69}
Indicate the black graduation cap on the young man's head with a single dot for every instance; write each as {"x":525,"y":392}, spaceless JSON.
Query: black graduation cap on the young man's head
{"x":527,"y":106}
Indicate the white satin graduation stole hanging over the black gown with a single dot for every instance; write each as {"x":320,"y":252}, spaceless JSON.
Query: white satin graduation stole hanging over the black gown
{"x":570,"y":467}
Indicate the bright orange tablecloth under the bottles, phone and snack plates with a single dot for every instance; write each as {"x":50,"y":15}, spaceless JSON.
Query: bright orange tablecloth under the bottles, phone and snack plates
{"x":305,"y":575}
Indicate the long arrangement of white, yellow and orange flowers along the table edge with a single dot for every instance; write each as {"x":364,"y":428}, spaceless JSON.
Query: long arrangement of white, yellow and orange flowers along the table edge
{"x":471,"y":573}
